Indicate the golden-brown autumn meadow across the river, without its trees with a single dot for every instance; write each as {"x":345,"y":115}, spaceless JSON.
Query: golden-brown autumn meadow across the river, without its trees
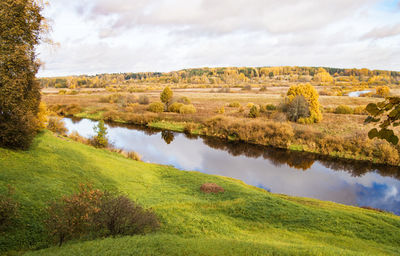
{"x":339,"y":135}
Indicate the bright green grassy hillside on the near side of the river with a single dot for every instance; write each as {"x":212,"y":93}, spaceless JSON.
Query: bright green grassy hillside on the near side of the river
{"x":242,"y":221}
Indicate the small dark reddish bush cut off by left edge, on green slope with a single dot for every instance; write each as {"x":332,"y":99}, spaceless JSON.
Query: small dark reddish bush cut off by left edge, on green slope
{"x":8,"y":210}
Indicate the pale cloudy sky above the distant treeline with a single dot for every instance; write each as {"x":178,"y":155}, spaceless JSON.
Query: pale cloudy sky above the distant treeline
{"x":113,"y":36}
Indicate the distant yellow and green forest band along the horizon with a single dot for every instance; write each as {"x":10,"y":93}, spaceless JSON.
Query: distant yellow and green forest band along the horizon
{"x":207,"y":77}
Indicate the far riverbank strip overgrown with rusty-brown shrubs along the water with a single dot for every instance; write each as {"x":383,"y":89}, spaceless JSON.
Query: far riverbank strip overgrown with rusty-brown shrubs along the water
{"x":285,"y":135}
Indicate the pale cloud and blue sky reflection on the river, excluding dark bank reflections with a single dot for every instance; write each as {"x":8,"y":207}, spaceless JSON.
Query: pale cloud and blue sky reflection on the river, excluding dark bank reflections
{"x":370,"y":189}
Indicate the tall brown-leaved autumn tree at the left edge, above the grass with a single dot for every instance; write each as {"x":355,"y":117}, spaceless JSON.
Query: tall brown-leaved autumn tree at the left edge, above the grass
{"x":21,"y":24}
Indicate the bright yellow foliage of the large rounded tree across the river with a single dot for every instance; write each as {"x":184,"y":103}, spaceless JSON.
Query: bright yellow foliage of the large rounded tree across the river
{"x":311,"y":95}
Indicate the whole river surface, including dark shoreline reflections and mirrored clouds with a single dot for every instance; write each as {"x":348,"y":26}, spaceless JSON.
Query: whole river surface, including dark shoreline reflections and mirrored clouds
{"x":279,"y":171}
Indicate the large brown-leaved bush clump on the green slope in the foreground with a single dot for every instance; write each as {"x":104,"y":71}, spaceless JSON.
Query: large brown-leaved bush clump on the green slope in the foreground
{"x":94,"y":213}
